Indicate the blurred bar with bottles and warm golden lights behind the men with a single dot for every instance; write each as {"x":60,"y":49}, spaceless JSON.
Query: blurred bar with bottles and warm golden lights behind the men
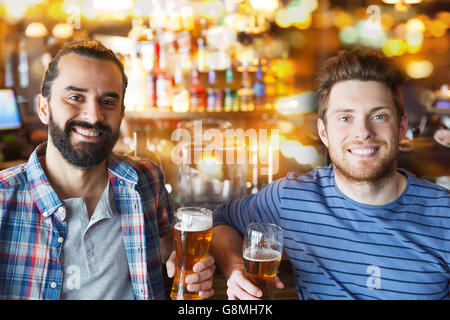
{"x":241,"y":64}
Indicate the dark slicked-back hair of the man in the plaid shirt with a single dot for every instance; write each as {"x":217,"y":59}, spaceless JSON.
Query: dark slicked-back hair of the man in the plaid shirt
{"x":89,"y":48}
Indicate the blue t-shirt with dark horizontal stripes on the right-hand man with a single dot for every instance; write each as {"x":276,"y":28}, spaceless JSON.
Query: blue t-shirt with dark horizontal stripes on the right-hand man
{"x":342,"y":249}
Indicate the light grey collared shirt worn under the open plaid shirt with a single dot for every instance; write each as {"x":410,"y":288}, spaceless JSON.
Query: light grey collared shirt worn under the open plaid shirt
{"x":93,"y":256}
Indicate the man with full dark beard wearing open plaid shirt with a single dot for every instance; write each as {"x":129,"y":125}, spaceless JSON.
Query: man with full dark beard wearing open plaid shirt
{"x":77,"y":221}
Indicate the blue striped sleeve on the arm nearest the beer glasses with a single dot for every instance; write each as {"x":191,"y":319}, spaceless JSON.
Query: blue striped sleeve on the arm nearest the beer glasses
{"x":264,"y":206}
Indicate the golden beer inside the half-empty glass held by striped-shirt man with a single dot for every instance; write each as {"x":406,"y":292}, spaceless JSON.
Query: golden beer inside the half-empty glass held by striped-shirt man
{"x":261,"y":266}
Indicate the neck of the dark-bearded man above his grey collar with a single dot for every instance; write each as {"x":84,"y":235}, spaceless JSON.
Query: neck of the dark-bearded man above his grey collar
{"x":71,"y":182}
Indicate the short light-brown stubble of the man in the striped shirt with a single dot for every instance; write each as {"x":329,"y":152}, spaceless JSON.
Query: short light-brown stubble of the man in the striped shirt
{"x":372,"y":171}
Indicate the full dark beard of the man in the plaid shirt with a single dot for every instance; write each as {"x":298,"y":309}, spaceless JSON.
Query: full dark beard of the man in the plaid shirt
{"x":86,"y":155}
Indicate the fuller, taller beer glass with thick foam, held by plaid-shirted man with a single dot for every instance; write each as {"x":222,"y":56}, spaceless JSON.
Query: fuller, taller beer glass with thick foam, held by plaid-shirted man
{"x":193,"y":232}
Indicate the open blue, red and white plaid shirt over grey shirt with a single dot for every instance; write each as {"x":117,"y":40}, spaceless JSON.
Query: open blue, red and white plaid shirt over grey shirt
{"x":32,"y":230}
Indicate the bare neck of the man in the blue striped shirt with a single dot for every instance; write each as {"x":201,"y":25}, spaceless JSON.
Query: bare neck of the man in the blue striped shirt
{"x":378,"y":193}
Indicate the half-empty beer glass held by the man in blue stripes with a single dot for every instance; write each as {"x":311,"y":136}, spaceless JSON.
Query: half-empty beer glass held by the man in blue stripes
{"x":262,"y":250}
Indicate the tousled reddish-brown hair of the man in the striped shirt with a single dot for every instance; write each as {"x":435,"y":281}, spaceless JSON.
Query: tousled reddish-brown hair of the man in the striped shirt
{"x":358,"y":64}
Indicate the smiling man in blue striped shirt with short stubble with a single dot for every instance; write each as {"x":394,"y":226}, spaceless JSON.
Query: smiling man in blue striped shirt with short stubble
{"x":359,"y":228}
